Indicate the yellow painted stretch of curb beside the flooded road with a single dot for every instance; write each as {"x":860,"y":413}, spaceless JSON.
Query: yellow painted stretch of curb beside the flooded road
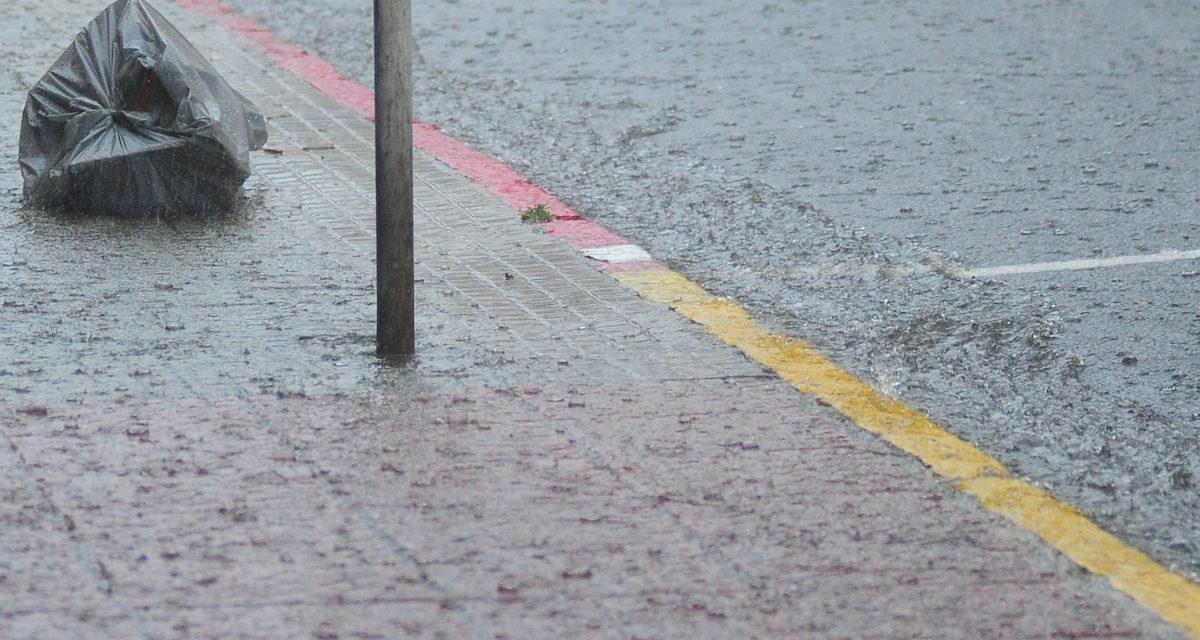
{"x":1169,"y":595}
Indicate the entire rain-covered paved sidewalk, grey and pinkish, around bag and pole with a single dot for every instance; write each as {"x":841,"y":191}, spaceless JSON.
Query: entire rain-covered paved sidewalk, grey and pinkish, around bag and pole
{"x":196,"y":440}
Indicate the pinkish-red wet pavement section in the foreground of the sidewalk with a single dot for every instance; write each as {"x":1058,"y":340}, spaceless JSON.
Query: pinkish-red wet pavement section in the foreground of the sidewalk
{"x":693,"y":509}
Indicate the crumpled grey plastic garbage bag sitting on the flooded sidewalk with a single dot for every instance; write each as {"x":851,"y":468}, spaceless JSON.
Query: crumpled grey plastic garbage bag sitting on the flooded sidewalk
{"x":133,"y":121}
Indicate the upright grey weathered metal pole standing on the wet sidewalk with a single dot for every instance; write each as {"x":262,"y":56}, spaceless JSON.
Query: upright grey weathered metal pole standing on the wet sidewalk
{"x":395,"y":332}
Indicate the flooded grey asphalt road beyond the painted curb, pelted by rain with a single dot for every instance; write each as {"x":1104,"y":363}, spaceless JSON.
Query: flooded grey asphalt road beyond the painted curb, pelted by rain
{"x":845,"y":169}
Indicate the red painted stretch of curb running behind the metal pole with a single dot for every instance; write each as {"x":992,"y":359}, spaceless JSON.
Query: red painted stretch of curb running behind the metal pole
{"x":485,"y":171}
